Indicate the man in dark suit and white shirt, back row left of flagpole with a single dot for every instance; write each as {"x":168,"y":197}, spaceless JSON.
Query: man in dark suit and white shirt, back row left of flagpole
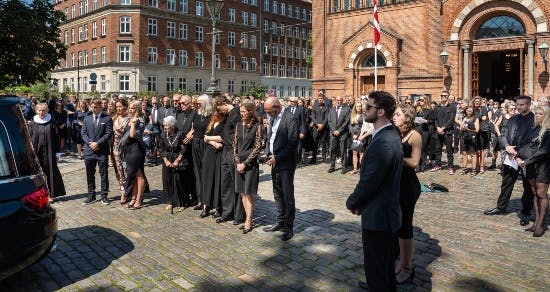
{"x":338,"y":124}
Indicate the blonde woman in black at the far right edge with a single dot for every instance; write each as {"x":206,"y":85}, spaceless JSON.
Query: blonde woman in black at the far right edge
{"x":541,"y":162}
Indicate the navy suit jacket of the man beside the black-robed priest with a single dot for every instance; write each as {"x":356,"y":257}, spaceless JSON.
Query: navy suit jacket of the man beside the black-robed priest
{"x":100,"y":134}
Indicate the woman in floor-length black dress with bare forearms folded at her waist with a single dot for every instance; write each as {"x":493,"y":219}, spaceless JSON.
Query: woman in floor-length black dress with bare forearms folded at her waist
{"x":211,"y":164}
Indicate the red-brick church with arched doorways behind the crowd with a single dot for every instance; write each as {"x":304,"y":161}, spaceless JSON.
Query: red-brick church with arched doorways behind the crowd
{"x":469,"y":47}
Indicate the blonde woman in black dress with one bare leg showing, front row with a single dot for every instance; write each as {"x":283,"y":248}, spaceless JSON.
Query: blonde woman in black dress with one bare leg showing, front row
{"x":134,"y":157}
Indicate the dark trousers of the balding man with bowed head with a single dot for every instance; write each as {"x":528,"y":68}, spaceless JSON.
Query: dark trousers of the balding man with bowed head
{"x":283,"y":192}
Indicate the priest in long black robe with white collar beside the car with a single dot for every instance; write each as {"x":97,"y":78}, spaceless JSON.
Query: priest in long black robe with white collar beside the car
{"x":45,"y":140}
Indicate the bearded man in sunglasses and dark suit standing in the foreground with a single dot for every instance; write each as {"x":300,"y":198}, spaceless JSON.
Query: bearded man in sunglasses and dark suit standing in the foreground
{"x":376,"y":196}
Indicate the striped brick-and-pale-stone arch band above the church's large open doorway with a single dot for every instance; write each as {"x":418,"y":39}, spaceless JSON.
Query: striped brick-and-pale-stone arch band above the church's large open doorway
{"x":530,"y":5}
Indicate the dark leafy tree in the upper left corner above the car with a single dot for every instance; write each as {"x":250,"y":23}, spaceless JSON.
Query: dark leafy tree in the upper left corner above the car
{"x":30,"y":46}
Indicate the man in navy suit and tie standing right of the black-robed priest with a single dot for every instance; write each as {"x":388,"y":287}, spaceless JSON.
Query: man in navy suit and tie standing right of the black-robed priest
{"x":96,"y":132}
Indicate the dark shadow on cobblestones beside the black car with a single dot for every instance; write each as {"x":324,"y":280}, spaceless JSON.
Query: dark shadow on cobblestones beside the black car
{"x":81,"y":252}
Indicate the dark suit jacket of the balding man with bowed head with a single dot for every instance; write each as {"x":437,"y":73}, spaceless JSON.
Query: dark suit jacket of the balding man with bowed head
{"x":286,"y":142}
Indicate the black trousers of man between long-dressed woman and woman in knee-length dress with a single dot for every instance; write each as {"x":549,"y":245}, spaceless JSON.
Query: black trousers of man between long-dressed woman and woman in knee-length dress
{"x":232,"y":206}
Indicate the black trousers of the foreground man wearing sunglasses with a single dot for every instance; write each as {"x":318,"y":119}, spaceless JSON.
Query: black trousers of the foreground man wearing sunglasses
{"x":379,"y":257}
